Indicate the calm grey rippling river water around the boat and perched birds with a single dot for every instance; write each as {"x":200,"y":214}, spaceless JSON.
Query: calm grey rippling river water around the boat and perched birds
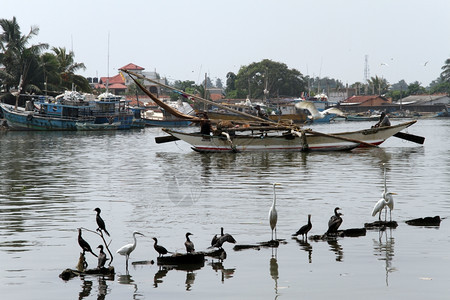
{"x":52,"y":181}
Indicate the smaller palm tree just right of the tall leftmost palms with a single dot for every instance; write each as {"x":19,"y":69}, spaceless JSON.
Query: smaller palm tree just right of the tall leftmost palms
{"x":67,"y":69}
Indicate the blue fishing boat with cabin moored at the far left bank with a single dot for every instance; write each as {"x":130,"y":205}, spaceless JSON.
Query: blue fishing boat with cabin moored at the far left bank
{"x":60,"y":114}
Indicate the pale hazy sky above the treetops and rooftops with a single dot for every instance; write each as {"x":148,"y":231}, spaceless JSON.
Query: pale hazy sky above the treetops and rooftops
{"x":183,"y":40}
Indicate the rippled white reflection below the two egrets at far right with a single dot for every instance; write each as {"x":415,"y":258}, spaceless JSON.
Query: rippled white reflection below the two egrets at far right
{"x":384,"y":249}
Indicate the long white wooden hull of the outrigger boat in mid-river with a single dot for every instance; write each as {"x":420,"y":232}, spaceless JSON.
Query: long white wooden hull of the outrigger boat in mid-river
{"x":272,"y":138}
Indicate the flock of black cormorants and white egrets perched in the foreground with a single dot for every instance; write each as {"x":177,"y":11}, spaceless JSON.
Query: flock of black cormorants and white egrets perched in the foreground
{"x":217,"y":241}
